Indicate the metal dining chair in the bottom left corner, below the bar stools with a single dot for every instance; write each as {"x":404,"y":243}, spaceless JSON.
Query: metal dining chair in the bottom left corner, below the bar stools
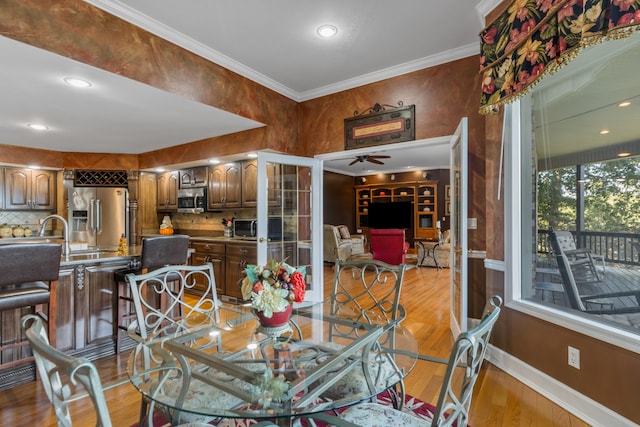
{"x":60,"y":375}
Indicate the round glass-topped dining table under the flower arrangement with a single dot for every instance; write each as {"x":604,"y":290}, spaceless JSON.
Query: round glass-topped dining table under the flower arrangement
{"x":225,"y":365}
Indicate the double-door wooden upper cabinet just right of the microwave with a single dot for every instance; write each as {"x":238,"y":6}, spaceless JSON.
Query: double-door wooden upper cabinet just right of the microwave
{"x":225,"y":186}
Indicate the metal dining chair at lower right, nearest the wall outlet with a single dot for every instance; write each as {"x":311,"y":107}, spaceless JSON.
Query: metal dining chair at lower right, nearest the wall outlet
{"x":454,"y":401}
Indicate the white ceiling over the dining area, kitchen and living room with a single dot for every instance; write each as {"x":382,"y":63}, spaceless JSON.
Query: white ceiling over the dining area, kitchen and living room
{"x":271,"y":42}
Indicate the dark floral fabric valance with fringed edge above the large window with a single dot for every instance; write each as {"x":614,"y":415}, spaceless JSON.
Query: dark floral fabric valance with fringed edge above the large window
{"x":534,"y":37}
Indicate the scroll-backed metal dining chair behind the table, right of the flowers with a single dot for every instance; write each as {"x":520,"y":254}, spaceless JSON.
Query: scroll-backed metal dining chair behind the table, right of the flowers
{"x":367,"y":291}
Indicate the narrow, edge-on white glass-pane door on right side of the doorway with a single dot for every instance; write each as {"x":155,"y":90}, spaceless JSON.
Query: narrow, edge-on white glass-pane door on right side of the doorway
{"x":459,"y":177}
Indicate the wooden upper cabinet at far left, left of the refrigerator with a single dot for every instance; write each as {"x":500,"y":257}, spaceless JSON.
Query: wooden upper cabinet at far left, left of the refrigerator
{"x":29,"y":189}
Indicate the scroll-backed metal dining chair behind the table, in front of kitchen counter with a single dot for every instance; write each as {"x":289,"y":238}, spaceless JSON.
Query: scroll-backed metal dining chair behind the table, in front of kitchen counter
{"x":178,"y":314}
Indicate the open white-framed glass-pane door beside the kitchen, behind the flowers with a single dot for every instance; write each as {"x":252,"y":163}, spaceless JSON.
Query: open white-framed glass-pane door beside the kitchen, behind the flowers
{"x":289,"y":228}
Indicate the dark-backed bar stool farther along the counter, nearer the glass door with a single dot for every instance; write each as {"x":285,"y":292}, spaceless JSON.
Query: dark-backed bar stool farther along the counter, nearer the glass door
{"x":156,"y":252}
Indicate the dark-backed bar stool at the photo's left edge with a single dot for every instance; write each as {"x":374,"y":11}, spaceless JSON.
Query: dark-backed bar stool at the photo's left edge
{"x":28,"y":278}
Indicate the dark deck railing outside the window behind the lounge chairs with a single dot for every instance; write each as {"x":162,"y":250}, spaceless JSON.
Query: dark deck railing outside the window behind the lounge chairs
{"x":617,"y":248}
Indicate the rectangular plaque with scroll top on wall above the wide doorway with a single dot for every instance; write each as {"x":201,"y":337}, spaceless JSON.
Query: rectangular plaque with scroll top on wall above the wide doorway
{"x":380,"y":127}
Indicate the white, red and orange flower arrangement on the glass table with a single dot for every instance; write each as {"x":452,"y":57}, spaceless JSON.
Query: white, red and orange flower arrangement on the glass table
{"x":274,"y":287}
